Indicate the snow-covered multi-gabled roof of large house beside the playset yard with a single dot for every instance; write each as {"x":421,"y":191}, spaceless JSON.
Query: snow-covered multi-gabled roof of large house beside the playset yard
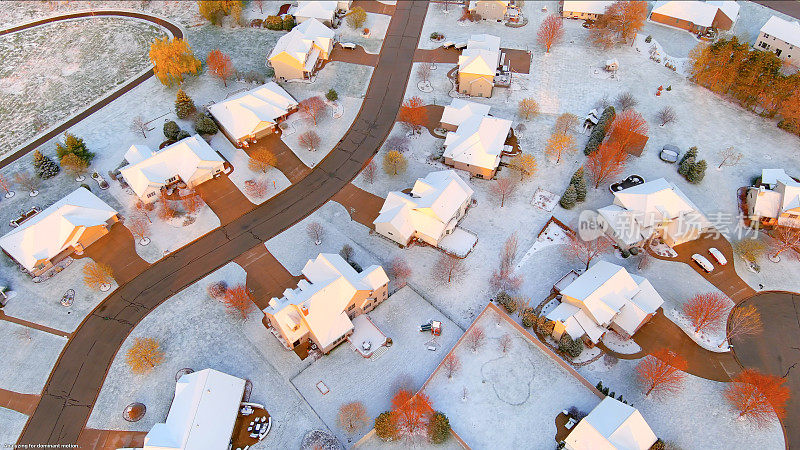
{"x":319,"y":302}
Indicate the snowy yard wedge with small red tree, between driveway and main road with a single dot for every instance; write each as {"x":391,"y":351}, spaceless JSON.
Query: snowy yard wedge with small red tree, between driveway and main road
{"x":329,"y":128}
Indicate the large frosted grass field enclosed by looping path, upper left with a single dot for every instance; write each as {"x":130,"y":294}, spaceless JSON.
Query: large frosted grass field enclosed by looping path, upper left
{"x":54,"y":70}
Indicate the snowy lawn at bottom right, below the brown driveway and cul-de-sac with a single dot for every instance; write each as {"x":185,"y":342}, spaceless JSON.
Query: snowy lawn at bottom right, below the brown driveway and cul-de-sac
{"x":696,"y":415}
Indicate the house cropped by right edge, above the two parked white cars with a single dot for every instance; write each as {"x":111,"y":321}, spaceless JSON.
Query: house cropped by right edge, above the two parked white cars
{"x":776,"y":201}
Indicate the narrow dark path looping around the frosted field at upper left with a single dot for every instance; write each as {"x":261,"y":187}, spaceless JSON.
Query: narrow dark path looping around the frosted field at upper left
{"x":169,"y":26}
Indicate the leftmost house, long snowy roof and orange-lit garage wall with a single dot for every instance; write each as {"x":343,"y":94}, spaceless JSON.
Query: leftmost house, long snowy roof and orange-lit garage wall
{"x":67,"y":226}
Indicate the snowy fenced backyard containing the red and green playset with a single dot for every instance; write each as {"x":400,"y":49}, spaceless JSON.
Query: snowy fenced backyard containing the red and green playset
{"x":351,"y":377}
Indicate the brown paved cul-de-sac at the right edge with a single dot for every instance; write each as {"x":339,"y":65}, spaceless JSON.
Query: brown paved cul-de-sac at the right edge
{"x":776,"y":350}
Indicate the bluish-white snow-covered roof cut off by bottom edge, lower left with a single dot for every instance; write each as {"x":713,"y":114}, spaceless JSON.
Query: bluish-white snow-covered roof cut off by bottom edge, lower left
{"x":202,"y":415}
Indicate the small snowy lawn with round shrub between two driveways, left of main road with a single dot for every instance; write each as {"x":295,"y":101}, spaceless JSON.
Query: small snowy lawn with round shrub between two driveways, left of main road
{"x":275,"y":179}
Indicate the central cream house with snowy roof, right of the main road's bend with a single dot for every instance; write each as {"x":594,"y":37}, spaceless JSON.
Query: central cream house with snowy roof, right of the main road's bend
{"x":428,"y":212}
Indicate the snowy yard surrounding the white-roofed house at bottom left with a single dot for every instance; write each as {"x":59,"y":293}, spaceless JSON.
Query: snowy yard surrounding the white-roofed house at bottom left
{"x":197,"y":332}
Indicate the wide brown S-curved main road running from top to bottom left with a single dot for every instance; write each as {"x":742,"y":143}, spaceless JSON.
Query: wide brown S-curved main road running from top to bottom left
{"x":76,"y":379}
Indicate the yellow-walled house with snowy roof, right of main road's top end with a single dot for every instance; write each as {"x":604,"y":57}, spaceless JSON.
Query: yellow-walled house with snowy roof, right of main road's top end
{"x":477,"y":65}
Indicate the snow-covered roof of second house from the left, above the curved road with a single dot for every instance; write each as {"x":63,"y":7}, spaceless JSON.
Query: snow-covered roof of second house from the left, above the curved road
{"x":183,"y":158}
